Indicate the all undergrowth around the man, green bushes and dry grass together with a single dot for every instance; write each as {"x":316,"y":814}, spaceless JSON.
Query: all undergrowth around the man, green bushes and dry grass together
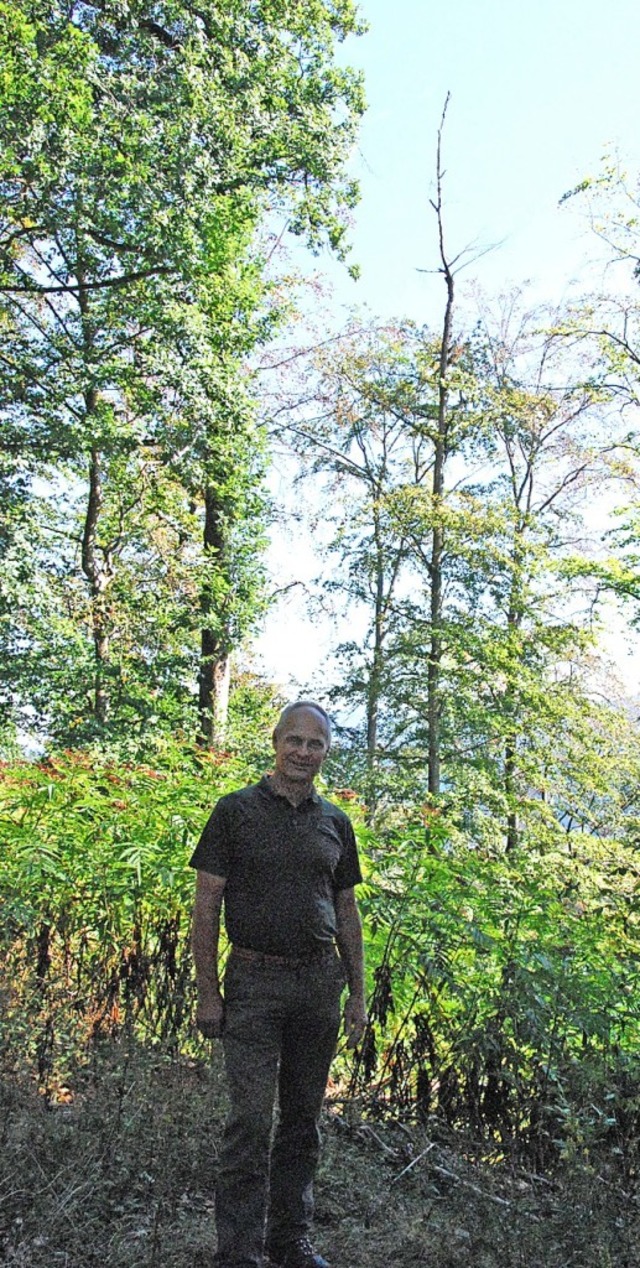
{"x":490,"y":1119}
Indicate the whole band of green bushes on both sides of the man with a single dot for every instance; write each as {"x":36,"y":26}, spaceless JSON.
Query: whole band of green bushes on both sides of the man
{"x":502,"y":986}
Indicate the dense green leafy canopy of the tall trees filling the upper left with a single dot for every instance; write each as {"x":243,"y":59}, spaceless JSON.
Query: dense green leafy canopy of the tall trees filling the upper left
{"x":145,"y":164}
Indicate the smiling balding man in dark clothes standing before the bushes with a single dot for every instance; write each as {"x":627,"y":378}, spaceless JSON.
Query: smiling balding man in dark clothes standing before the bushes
{"x":285,"y":863}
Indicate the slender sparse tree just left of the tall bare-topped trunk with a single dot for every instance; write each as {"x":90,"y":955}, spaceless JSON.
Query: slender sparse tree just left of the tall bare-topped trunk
{"x":369,"y":441}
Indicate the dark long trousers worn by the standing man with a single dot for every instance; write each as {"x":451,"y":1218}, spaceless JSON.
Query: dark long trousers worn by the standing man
{"x":281,"y":1032}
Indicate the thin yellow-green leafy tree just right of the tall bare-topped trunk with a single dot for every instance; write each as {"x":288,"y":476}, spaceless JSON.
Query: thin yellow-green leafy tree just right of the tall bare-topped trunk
{"x":519,"y":676}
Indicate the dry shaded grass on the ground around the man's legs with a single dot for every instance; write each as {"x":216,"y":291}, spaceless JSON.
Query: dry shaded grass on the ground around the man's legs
{"x":120,"y":1172}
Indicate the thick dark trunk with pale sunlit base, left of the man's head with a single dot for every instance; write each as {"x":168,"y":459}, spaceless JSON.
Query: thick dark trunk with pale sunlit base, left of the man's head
{"x":214,"y":685}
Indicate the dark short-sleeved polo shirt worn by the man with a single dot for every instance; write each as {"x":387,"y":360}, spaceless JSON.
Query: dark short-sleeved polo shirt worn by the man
{"x":283,"y":865}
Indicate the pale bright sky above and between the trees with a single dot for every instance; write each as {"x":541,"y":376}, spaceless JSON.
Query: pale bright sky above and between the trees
{"x":539,"y":94}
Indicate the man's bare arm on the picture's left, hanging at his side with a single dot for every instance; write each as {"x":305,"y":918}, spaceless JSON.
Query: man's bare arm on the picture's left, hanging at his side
{"x":205,"y":945}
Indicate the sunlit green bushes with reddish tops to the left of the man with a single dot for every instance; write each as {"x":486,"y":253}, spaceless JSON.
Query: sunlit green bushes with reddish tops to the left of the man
{"x":97,"y":898}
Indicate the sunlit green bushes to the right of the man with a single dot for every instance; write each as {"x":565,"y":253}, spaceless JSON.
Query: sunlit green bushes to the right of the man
{"x":505,"y":990}
